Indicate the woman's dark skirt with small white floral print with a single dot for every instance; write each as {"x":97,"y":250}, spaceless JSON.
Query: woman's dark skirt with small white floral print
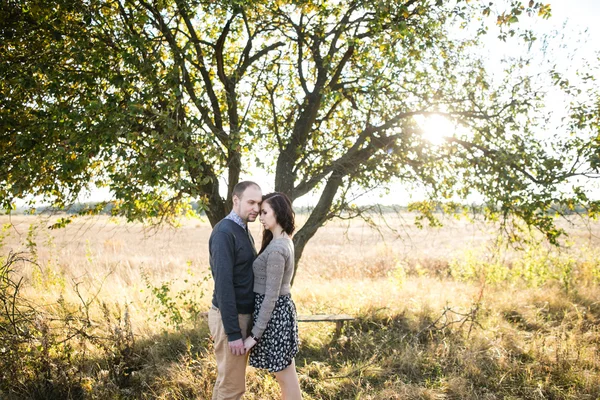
{"x":278,"y":345}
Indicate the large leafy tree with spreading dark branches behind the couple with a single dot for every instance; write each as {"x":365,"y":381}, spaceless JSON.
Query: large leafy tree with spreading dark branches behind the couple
{"x":161,"y":99}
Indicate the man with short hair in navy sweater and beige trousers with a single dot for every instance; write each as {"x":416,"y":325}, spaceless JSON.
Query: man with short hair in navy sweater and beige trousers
{"x":232,"y":252}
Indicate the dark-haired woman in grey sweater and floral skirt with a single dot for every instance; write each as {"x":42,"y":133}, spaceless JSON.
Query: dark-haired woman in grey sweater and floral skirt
{"x":274,"y":336}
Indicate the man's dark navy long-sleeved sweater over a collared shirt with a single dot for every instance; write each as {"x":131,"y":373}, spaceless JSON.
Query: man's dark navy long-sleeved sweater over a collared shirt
{"x":231,"y":258}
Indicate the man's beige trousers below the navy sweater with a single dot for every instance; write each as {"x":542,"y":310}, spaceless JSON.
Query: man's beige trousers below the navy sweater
{"x":231,"y":370}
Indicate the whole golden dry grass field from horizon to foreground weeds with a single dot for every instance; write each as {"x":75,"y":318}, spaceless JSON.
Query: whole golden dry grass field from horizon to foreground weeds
{"x":110,"y":310}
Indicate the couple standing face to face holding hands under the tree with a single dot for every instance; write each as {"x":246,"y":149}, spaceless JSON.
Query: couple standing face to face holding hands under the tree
{"x":252,"y":312}
